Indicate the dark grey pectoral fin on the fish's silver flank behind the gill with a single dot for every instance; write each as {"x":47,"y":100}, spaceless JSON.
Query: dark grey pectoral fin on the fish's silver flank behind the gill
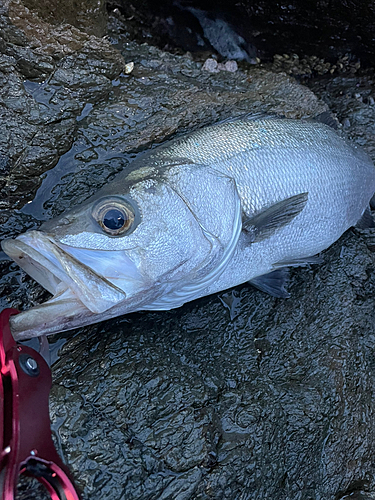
{"x":266,"y":223}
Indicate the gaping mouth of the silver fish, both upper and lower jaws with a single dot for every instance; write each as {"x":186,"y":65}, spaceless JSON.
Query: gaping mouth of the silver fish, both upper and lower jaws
{"x":78,"y":291}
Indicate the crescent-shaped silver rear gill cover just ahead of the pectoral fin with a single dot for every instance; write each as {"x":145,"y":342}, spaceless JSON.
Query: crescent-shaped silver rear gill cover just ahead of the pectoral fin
{"x":213,"y":200}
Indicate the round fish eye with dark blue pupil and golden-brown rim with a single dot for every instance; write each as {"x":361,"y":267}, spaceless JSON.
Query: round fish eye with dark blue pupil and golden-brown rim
{"x":115,"y":217}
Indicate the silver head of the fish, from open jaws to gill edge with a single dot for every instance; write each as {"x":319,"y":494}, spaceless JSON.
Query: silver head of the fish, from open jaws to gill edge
{"x":137,"y":244}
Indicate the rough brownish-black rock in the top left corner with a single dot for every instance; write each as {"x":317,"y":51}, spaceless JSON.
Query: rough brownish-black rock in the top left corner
{"x":39,"y":118}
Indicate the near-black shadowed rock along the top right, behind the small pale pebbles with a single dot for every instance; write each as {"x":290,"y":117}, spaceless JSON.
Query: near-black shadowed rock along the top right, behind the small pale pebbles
{"x":323,"y":29}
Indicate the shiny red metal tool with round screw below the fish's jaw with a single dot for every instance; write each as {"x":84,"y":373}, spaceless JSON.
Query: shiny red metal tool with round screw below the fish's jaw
{"x":26,"y":445}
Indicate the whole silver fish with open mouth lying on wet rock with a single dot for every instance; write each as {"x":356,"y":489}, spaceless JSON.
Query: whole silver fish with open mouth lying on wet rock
{"x":238,"y":201}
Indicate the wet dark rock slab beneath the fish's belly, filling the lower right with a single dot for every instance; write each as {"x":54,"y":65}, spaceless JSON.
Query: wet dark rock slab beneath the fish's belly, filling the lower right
{"x":277,"y":403}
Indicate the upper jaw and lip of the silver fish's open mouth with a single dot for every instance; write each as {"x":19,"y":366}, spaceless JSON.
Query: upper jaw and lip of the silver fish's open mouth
{"x":56,"y":270}
